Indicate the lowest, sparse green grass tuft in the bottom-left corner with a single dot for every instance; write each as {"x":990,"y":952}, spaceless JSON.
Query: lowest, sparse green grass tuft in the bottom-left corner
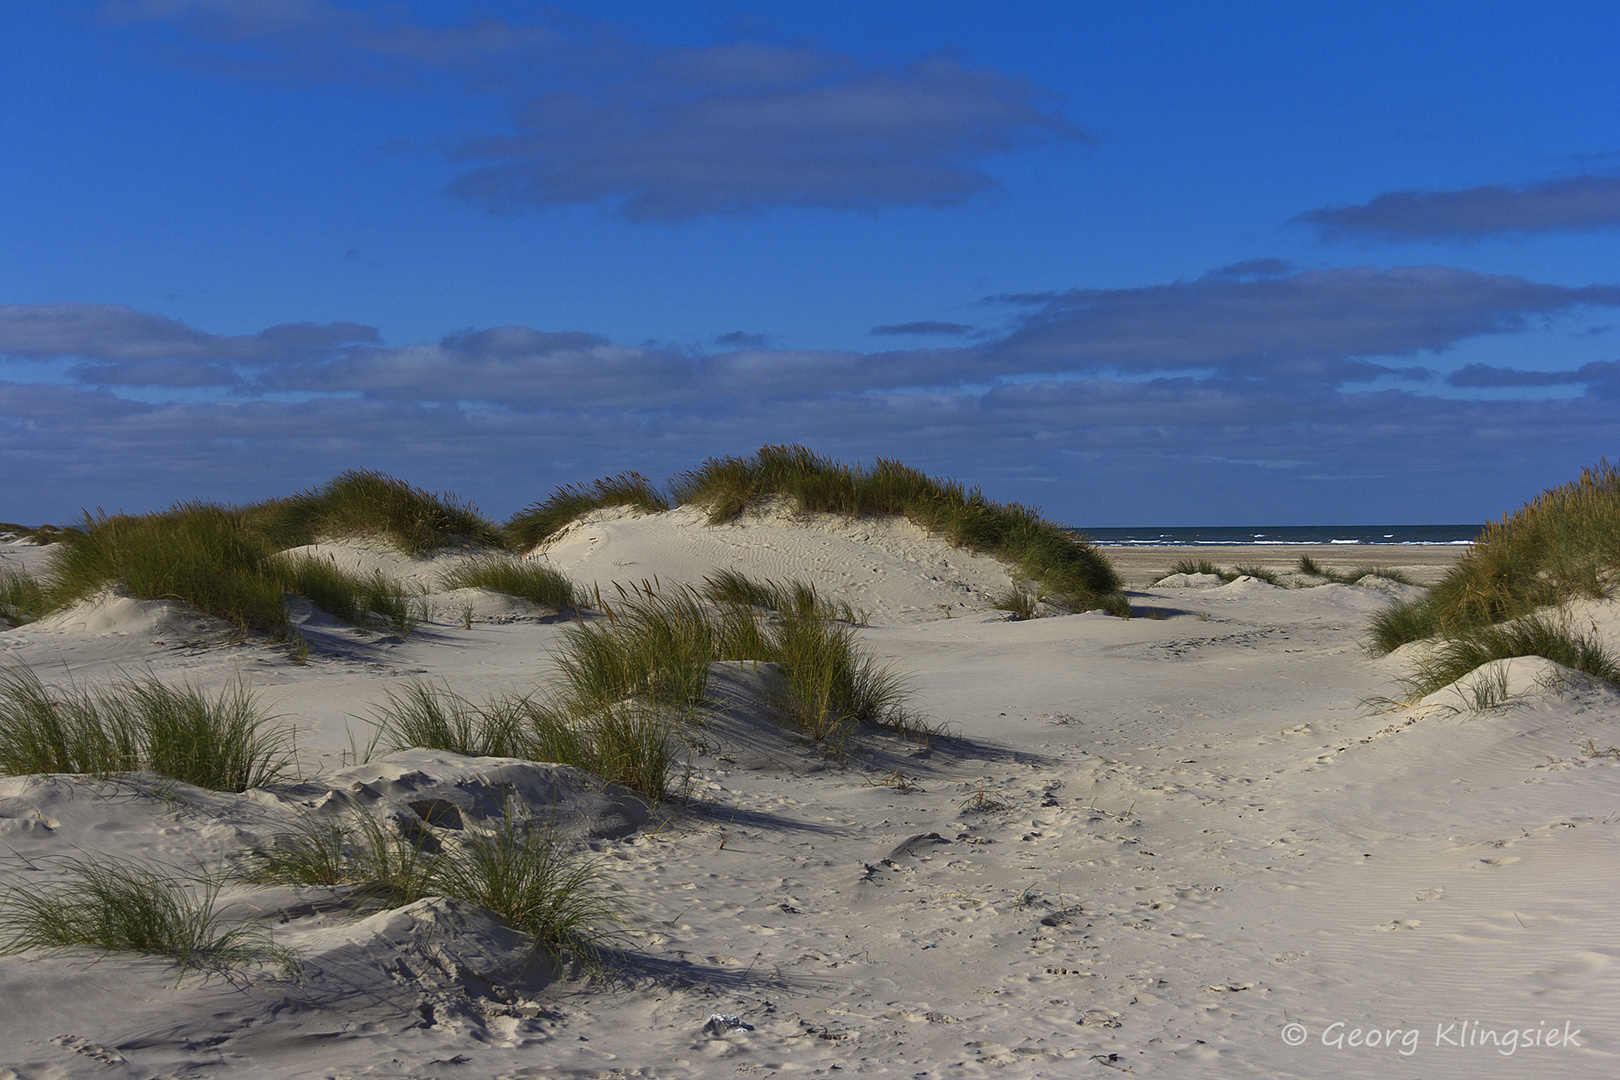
{"x":130,"y":908}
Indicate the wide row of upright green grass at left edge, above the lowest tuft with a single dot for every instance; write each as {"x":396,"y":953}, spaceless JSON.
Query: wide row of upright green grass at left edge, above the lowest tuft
{"x":223,"y":744}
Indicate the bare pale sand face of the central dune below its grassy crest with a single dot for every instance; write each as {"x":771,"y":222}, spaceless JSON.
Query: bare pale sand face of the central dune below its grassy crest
{"x":889,"y":568}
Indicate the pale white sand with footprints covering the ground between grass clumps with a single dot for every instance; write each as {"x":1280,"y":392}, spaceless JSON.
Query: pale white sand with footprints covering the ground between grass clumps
{"x":1153,"y":848}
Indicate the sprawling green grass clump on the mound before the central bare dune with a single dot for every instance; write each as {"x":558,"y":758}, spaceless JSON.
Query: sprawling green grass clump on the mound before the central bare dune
{"x":631,"y":679}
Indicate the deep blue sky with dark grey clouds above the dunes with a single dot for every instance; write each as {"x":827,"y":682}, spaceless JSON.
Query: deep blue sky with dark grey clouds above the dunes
{"x":1136,"y":265}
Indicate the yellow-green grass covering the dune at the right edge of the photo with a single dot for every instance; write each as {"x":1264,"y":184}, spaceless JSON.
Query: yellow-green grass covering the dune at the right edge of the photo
{"x":1561,"y":546}
